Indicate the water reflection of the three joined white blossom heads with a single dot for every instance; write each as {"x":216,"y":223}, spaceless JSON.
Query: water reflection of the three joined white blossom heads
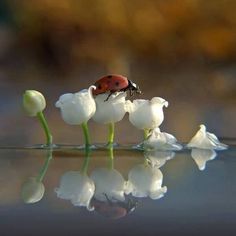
{"x":107,"y":185}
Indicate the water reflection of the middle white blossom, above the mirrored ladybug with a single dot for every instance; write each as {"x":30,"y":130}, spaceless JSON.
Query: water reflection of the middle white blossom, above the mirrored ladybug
{"x":109,"y":184}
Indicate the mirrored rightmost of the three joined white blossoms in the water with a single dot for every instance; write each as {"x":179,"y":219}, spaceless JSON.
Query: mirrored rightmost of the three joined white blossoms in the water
{"x":144,"y":181}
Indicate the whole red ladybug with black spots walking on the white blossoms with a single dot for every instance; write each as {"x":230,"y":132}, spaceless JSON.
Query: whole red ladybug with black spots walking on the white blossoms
{"x":115,"y":83}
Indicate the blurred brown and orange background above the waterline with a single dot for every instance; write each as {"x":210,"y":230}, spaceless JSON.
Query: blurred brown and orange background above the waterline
{"x":181,"y":50}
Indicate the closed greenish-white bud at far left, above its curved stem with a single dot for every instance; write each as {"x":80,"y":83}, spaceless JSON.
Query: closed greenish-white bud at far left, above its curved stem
{"x":33,"y":102}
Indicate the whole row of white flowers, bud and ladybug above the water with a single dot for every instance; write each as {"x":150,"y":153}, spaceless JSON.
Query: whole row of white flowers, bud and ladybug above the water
{"x":105,"y":102}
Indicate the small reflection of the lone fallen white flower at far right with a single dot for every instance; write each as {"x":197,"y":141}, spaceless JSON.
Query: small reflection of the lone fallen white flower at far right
{"x":201,"y":156}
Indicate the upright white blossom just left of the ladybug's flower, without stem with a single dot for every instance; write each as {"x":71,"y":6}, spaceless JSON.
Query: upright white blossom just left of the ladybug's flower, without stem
{"x":77,"y":108}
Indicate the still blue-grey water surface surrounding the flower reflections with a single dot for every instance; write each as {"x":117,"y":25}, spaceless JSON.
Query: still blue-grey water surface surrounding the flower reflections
{"x":196,"y":202}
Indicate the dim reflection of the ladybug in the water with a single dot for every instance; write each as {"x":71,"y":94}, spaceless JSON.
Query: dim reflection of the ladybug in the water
{"x":114,"y":210}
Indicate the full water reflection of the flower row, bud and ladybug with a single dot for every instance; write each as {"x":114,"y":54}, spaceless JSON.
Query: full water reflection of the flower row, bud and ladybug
{"x":105,"y":189}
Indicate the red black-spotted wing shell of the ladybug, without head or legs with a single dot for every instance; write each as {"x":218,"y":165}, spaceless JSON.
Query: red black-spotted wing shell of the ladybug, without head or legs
{"x":110,"y":83}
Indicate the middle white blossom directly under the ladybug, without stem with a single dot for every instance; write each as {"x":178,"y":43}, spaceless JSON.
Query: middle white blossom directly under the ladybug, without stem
{"x":110,"y":111}
